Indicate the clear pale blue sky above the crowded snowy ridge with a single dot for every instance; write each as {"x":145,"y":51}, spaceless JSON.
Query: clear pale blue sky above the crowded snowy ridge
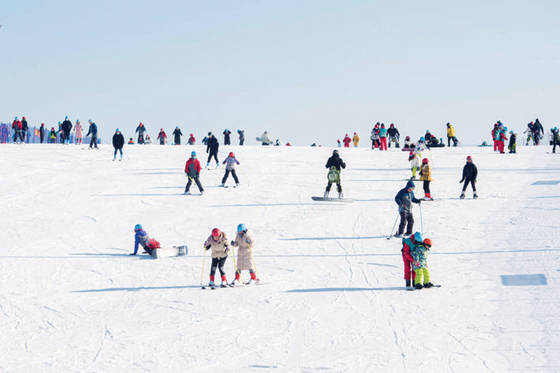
{"x":307,"y":71}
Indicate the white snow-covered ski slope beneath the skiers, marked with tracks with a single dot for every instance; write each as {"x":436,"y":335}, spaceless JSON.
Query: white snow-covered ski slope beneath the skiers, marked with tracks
{"x":332,"y":296}
